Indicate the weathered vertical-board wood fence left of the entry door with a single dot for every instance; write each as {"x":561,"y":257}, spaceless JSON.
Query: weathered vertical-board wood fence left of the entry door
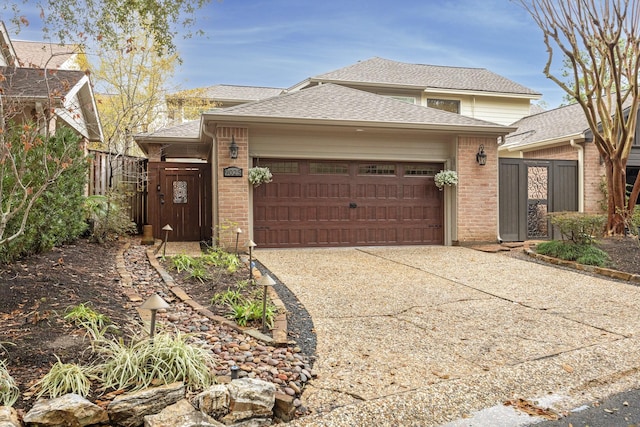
{"x":111,"y":171}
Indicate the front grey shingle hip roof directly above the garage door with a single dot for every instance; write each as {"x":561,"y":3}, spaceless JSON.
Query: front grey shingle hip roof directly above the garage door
{"x":339,"y":103}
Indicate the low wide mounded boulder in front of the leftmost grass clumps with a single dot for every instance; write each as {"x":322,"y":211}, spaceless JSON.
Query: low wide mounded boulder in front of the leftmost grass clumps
{"x":69,"y":410}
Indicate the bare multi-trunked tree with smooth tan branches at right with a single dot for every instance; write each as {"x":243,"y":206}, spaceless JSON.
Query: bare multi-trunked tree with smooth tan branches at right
{"x":600,"y":43}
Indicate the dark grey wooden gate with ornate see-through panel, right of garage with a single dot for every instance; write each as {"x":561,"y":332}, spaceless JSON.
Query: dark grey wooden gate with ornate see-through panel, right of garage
{"x":529,"y":190}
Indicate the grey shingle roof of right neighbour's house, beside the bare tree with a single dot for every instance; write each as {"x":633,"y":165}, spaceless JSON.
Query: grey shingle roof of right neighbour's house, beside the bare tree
{"x":553,"y":124}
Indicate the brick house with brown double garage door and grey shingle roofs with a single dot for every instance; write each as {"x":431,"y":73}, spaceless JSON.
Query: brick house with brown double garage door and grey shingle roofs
{"x":353,"y":153}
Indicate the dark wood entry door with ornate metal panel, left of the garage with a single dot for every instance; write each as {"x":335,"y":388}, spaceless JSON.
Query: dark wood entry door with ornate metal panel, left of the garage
{"x":180,"y":200}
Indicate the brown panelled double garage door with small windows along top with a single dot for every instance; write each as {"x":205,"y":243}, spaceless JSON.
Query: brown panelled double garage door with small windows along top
{"x":332,"y":203}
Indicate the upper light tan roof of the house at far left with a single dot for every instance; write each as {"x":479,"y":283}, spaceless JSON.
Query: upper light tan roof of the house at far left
{"x":42,"y":54}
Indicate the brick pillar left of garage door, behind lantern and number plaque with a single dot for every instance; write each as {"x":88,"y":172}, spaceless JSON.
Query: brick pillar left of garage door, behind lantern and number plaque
{"x":233,"y":193}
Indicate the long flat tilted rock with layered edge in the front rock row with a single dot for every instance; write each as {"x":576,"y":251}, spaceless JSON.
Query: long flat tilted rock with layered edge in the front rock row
{"x":129,"y":410}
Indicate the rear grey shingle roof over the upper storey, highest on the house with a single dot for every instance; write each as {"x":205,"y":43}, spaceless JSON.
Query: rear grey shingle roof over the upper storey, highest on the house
{"x":387,"y":72}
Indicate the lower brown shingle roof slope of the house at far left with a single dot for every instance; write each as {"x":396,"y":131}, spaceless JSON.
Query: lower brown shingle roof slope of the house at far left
{"x":33,"y":83}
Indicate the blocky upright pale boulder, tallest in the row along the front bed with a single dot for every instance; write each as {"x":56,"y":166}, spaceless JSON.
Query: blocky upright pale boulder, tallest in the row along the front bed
{"x":250,"y":398}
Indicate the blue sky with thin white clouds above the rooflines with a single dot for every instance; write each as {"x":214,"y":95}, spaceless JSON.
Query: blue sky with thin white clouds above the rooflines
{"x":278,"y":43}
